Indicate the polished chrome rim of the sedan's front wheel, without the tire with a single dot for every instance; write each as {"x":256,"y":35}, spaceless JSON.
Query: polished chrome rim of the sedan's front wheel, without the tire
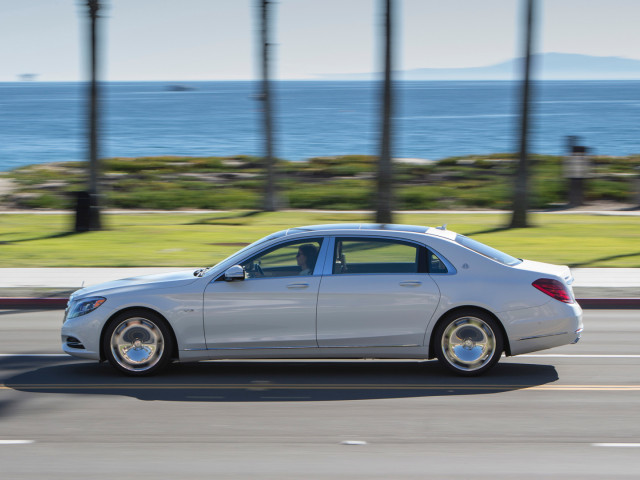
{"x":137,"y":344}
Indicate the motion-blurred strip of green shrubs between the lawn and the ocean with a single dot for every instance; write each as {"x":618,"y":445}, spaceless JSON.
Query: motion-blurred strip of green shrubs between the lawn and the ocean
{"x":338,"y":182}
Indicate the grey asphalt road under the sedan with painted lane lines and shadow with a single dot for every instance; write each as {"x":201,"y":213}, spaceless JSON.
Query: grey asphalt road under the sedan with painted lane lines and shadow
{"x":570,"y":412}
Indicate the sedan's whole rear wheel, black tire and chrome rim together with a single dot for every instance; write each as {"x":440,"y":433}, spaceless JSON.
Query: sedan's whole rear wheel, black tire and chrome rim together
{"x":468,"y":342}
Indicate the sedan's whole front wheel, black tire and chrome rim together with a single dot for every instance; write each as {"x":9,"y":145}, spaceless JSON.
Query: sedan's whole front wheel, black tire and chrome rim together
{"x":138,"y":343}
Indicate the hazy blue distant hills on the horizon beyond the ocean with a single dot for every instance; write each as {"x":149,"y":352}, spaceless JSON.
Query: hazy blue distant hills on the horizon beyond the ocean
{"x":547,"y":66}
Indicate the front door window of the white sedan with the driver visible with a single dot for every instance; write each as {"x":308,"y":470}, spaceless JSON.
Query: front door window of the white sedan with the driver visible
{"x":285,"y":260}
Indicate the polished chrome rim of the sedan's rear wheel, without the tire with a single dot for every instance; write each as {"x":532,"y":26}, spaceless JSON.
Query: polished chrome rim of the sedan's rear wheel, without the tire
{"x":468,"y":343}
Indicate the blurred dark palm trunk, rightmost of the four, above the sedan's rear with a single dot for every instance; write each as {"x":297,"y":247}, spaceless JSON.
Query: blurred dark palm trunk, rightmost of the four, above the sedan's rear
{"x":521,"y":193}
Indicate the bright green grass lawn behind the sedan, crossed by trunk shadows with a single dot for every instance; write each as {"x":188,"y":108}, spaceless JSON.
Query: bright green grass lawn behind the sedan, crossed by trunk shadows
{"x":173,"y":239}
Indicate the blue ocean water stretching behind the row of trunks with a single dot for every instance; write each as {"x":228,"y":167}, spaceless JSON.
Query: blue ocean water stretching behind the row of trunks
{"x":46,"y":122}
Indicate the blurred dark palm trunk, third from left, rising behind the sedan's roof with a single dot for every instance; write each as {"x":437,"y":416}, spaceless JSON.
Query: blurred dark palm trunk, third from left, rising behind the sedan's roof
{"x":384,"y":197}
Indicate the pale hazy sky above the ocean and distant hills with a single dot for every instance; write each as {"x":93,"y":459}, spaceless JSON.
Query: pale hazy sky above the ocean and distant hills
{"x":216,"y":39}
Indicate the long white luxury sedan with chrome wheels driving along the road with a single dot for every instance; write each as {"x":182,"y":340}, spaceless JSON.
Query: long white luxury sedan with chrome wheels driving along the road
{"x":332,"y":291}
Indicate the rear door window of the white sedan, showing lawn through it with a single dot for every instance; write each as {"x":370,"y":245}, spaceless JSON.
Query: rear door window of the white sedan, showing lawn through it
{"x":360,"y":256}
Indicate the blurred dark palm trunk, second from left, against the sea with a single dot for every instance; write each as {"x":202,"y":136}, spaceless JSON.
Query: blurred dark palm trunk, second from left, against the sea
{"x":270,"y":203}
